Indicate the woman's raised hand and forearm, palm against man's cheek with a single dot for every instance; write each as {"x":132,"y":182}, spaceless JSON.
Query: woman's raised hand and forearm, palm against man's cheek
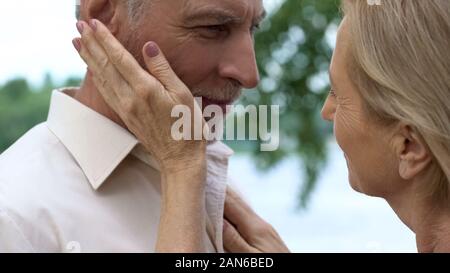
{"x":144,"y":101}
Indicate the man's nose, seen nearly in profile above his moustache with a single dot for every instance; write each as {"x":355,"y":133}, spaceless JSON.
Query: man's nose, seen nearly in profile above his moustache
{"x":239,"y":63}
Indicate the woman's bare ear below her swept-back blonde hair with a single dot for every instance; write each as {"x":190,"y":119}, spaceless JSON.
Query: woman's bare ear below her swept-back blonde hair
{"x":412,"y":152}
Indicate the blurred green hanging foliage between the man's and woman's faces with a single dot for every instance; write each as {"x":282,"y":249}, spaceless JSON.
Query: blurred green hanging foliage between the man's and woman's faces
{"x":293,"y":59}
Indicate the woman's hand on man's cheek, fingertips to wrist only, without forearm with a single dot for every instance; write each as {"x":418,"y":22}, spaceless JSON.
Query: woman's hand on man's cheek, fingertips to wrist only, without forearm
{"x":144,"y":101}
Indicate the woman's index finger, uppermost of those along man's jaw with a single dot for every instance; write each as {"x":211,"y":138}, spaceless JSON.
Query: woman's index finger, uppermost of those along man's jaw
{"x":118,"y":55}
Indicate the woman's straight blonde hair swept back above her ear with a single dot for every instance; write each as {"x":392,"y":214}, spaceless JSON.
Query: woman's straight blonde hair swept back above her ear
{"x":400,"y":63}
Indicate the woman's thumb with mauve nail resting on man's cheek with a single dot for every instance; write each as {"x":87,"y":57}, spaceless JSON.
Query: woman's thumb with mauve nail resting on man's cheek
{"x":160,"y":68}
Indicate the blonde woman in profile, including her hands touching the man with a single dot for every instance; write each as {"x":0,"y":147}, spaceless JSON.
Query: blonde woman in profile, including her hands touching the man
{"x":390,"y":105}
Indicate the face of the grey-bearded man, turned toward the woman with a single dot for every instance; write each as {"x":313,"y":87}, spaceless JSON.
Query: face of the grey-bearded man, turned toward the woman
{"x":209,"y":43}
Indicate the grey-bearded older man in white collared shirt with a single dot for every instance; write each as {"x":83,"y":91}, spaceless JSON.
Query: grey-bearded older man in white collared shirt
{"x":81,"y":181}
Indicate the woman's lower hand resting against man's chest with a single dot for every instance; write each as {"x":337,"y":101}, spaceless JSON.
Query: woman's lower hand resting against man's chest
{"x":244,"y":231}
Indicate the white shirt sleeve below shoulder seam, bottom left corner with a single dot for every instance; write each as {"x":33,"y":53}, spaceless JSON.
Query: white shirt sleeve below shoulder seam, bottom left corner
{"x":12,"y":240}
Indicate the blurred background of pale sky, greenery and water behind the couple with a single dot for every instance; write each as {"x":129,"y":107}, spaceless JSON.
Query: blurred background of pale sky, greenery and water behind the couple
{"x":301,"y":188}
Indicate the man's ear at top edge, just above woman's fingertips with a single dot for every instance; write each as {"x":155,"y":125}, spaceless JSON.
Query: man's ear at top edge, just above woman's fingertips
{"x":102,"y":10}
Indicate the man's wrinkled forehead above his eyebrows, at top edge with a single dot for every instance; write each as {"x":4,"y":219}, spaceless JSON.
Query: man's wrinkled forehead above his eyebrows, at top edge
{"x":239,"y":10}
